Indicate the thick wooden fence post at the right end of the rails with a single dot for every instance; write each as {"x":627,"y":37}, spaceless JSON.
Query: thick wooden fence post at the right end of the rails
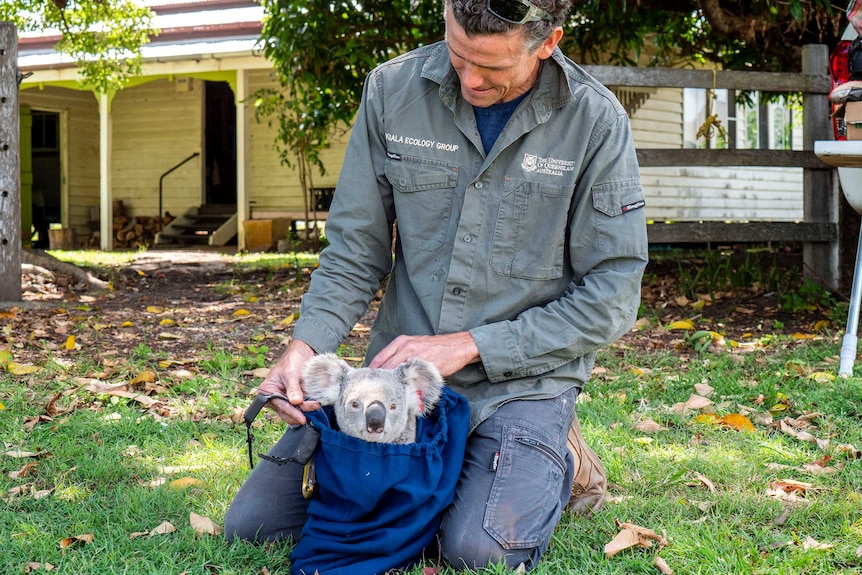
{"x":820,"y":193}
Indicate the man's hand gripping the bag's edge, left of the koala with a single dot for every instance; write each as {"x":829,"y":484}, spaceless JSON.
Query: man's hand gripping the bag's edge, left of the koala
{"x":284,"y":378}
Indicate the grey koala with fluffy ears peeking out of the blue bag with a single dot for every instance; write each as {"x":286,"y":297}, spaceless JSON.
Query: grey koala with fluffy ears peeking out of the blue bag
{"x":378,"y":405}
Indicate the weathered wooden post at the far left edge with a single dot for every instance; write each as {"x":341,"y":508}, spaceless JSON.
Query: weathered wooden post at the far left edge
{"x":10,"y":168}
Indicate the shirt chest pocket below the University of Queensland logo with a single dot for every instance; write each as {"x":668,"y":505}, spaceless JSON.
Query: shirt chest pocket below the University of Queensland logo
{"x":530,"y":232}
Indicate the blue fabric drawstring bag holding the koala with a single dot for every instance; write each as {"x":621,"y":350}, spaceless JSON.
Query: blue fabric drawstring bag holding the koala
{"x":377,"y":506}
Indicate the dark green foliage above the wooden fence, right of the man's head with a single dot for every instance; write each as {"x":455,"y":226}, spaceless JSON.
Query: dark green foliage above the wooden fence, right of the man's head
{"x":738,"y":35}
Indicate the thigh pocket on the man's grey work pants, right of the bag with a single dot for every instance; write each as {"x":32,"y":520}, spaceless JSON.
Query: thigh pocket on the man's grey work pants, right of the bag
{"x":524,"y":503}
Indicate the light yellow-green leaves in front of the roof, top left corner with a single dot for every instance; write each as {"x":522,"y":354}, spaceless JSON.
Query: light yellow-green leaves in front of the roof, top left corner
{"x":104,"y":37}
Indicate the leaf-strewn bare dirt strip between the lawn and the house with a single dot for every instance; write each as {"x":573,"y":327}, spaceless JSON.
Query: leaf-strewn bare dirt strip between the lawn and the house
{"x":182,"y":305}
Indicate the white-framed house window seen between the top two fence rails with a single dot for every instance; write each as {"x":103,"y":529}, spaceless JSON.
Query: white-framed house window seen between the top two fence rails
{"x":752,"y":123}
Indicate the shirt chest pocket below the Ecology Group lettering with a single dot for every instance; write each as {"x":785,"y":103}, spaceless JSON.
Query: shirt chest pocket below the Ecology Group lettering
{"x":424,"y":193}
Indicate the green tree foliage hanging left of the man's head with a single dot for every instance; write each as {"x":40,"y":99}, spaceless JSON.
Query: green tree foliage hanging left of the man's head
{"x":322,"y":52}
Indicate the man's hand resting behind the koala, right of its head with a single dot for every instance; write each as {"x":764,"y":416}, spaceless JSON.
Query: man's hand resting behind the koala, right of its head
{"x":448,"y":353}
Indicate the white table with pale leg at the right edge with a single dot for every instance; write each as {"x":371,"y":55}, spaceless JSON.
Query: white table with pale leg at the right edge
{"x":846,"y":155}
